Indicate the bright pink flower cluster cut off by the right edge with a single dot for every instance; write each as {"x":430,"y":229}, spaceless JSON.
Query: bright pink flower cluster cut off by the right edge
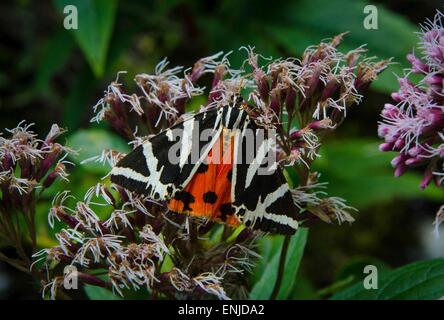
{"x":413,"y":125}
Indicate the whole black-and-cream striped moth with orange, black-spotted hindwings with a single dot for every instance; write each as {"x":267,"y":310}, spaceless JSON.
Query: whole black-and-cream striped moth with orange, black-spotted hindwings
{"x":181,"y":165}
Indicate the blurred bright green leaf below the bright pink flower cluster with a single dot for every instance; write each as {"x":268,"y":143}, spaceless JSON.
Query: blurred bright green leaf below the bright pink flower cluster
{"x":346,"y":166}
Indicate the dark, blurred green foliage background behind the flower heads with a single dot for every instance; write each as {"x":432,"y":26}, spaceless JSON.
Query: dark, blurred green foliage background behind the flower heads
{"x":49,"y":74}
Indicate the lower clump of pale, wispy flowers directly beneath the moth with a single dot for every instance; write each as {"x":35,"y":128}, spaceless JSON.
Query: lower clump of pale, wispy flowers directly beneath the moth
{"x":133,"y":244}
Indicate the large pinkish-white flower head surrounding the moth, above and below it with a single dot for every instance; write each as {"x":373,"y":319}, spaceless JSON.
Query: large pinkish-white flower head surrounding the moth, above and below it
{"x":140,"y":244}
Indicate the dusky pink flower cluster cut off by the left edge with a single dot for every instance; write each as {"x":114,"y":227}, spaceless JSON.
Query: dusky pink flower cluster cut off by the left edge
{"x":28,"y":166}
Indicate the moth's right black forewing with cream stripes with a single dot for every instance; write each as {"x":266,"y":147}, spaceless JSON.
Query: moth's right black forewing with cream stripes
{"x":261,"y":195}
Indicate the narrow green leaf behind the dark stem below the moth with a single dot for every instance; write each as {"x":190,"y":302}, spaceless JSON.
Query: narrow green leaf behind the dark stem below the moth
{"x":263,"y":288}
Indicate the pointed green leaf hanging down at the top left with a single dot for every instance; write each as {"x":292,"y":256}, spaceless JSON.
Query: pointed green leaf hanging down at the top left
{"x":95,"y":25}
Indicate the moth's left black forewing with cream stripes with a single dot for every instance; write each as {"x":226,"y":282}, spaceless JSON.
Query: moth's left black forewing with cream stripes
{"x":166,"y":162}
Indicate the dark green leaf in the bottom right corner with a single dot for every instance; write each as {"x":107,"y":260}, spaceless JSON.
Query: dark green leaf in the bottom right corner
{"x":420,"y":280}
